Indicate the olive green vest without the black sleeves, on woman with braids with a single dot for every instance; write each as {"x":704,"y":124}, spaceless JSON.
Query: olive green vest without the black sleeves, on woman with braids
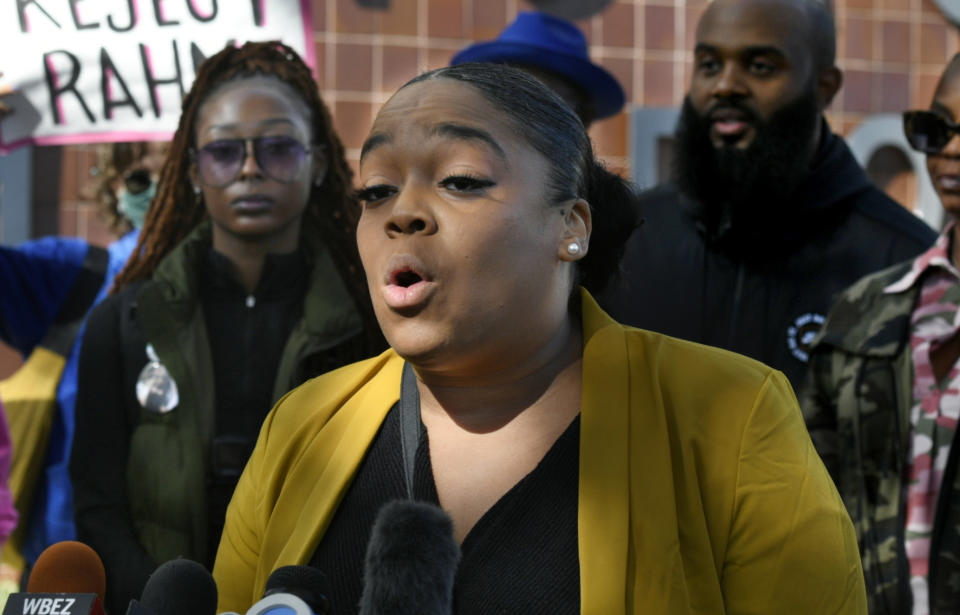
{"x":165,"y":499}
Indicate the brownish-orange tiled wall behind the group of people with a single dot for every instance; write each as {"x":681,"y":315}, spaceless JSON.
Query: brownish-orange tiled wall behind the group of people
{"x":892,"y":52}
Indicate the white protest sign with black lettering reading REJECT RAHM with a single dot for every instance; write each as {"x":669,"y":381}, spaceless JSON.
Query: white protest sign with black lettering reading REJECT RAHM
{"x":116,"y":70}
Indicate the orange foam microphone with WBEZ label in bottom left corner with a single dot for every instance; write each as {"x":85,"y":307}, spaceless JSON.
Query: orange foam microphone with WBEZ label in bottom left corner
{"x":67,"y":579}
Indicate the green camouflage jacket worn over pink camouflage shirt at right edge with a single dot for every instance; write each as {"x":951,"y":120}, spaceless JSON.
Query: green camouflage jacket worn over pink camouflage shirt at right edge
{"x":856,"y":403}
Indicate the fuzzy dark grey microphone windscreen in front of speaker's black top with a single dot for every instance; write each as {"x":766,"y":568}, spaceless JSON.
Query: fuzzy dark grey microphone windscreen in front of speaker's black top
{"x":411,"y":561}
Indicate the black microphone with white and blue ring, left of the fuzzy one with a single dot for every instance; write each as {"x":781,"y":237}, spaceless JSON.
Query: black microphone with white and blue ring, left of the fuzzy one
{"x":293,"y":590}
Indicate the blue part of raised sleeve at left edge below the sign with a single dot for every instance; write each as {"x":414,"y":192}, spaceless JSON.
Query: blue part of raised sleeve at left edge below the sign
{"x":34,"y":281}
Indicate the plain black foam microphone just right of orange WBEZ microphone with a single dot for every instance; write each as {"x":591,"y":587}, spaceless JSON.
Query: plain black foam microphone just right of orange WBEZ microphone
{"x":177,"y":587}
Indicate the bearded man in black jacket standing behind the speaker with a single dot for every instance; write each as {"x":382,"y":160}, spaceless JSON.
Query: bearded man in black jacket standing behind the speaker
{"x":768,"y":215}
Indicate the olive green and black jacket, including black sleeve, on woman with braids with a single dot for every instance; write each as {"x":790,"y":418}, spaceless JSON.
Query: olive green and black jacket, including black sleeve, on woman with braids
{"x":166,"y":471}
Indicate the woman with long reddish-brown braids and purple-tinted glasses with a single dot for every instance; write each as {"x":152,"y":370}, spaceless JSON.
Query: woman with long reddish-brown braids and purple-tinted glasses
{"x":245,"y":282}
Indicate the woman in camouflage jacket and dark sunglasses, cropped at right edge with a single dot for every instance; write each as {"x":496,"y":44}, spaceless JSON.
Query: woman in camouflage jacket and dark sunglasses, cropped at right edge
{"x":883,"y":396}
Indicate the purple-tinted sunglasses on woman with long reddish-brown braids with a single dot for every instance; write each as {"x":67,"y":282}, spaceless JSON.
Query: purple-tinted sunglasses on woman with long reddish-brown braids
{"x":280,"y":158}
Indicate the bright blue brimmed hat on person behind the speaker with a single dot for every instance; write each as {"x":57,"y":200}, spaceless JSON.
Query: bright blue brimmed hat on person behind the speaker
{"x":554,"y":44}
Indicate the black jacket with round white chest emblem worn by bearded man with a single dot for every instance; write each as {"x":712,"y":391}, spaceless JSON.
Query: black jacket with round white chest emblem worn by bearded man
{"x":762,"y":290}
